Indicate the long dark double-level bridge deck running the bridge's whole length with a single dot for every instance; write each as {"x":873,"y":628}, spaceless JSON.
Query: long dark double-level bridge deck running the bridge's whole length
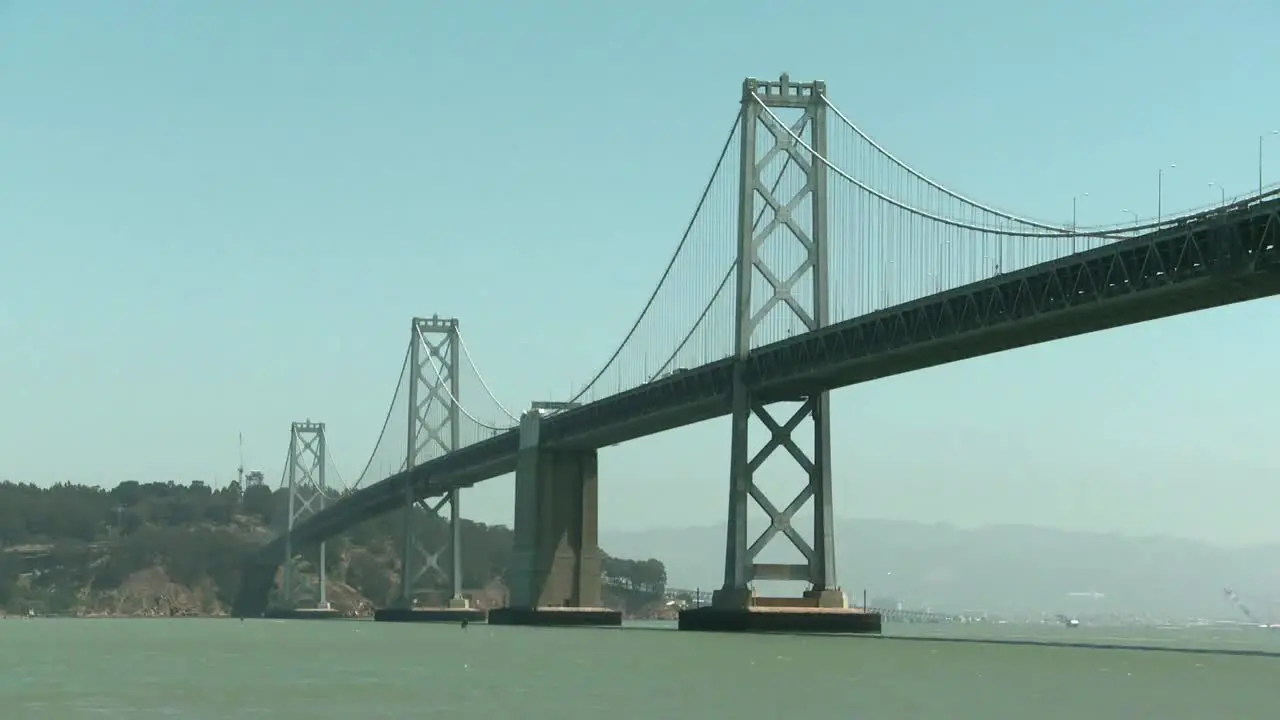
{"x":1206,"y":261}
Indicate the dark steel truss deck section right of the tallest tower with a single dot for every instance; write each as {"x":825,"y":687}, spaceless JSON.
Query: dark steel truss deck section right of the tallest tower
{"x":1212,"y":261}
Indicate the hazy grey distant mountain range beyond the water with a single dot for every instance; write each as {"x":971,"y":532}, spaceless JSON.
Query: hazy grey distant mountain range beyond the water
{"x":1011,"y":569}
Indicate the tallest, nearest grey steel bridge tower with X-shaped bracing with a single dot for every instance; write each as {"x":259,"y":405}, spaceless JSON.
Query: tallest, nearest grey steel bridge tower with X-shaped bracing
{"x":764,"y":215}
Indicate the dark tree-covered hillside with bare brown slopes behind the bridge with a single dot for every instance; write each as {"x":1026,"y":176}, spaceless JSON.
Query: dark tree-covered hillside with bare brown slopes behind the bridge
{"x":167,"y":549}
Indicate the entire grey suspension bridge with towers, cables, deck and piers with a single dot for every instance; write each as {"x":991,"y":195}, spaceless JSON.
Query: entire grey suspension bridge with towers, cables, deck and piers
{"x":813,"y":261}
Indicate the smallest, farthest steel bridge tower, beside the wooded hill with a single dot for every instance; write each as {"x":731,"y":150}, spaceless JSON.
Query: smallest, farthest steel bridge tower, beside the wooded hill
{"x":308,"y":494}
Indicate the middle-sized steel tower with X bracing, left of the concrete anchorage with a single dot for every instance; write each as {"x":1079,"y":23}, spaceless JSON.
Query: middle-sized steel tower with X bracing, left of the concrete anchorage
{"x":435,"y":384}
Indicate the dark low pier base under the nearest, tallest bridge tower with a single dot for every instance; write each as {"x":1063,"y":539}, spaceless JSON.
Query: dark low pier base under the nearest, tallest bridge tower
{"x":764,"y":619}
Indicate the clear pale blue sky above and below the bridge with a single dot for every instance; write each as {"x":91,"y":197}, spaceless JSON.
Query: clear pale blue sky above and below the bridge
{"x":220,"y":217}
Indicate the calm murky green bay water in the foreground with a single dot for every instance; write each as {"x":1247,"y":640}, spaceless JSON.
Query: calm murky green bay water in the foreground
{"x":359,"y":669}
